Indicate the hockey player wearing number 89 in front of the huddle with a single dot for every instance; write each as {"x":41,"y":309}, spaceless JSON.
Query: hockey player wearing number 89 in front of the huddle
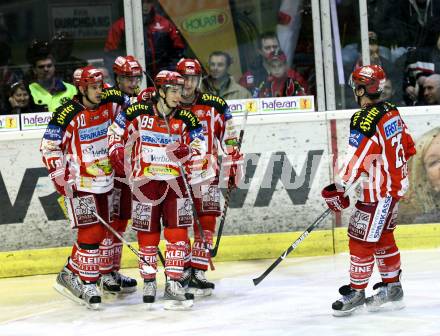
{"x":162,"y":137}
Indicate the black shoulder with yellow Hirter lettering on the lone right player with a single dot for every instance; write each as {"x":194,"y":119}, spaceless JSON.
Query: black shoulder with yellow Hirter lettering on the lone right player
{"x":365,"y":120}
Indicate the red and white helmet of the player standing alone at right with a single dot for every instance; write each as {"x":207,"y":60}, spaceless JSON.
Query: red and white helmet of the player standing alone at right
{"x":371,"y":77}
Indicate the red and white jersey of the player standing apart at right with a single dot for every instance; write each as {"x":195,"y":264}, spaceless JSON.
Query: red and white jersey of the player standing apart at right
{"x":379,"y":146}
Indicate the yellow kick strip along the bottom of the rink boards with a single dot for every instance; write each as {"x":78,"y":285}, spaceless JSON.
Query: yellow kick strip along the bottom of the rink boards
{"x":232,"y":248}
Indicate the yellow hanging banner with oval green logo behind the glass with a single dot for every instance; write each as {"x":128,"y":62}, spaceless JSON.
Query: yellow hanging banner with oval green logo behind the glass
{"x":207,"y":26}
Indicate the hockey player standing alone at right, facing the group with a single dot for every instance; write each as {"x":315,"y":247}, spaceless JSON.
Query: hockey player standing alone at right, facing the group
{"x":379,"y":147}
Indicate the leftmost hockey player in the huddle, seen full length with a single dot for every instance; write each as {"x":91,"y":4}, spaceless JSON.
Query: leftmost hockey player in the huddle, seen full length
{"x":75,"y":152}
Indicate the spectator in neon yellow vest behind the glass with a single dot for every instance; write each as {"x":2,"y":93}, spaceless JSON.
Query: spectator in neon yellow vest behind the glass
{"x":47,"y":90}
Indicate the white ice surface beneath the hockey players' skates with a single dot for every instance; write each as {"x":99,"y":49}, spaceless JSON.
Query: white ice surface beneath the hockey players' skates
{"x":294,"y":300}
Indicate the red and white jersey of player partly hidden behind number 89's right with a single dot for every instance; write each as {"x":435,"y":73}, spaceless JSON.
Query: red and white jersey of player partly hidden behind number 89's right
{"x":218,"y":129}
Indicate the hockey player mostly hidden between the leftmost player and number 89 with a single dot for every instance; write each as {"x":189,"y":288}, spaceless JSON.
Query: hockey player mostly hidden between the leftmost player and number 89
{"x":128,"y":75}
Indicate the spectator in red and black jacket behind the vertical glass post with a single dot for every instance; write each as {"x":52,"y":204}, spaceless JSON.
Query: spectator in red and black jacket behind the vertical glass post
{"x":163,"y":43}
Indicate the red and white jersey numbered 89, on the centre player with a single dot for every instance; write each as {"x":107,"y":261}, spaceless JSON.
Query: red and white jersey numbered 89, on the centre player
{"x":147,"y":133}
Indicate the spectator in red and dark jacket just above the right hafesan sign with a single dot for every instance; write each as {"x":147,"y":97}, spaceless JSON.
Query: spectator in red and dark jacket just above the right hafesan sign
{"x":282,"y":81}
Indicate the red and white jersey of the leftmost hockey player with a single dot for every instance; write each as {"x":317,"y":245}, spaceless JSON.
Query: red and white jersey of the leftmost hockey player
{"x":76,"y":140}
